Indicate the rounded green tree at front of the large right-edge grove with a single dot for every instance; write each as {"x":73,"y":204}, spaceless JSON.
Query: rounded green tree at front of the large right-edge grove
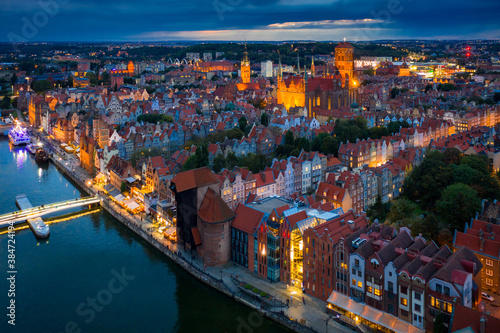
{"x":458,"y":204}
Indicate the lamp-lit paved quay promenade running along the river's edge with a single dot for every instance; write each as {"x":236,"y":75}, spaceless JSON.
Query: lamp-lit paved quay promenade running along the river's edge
{"x":299,"y":316}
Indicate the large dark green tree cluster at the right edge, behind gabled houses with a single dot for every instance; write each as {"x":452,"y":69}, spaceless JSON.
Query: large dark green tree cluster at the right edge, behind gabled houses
{"x":440,"y":195}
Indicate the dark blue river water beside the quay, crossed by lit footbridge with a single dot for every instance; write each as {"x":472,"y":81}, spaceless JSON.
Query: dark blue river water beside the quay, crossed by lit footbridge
{"x":95,"y":275}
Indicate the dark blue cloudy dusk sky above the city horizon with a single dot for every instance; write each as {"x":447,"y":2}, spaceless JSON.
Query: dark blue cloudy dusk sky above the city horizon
{"x":271,"y":20}
